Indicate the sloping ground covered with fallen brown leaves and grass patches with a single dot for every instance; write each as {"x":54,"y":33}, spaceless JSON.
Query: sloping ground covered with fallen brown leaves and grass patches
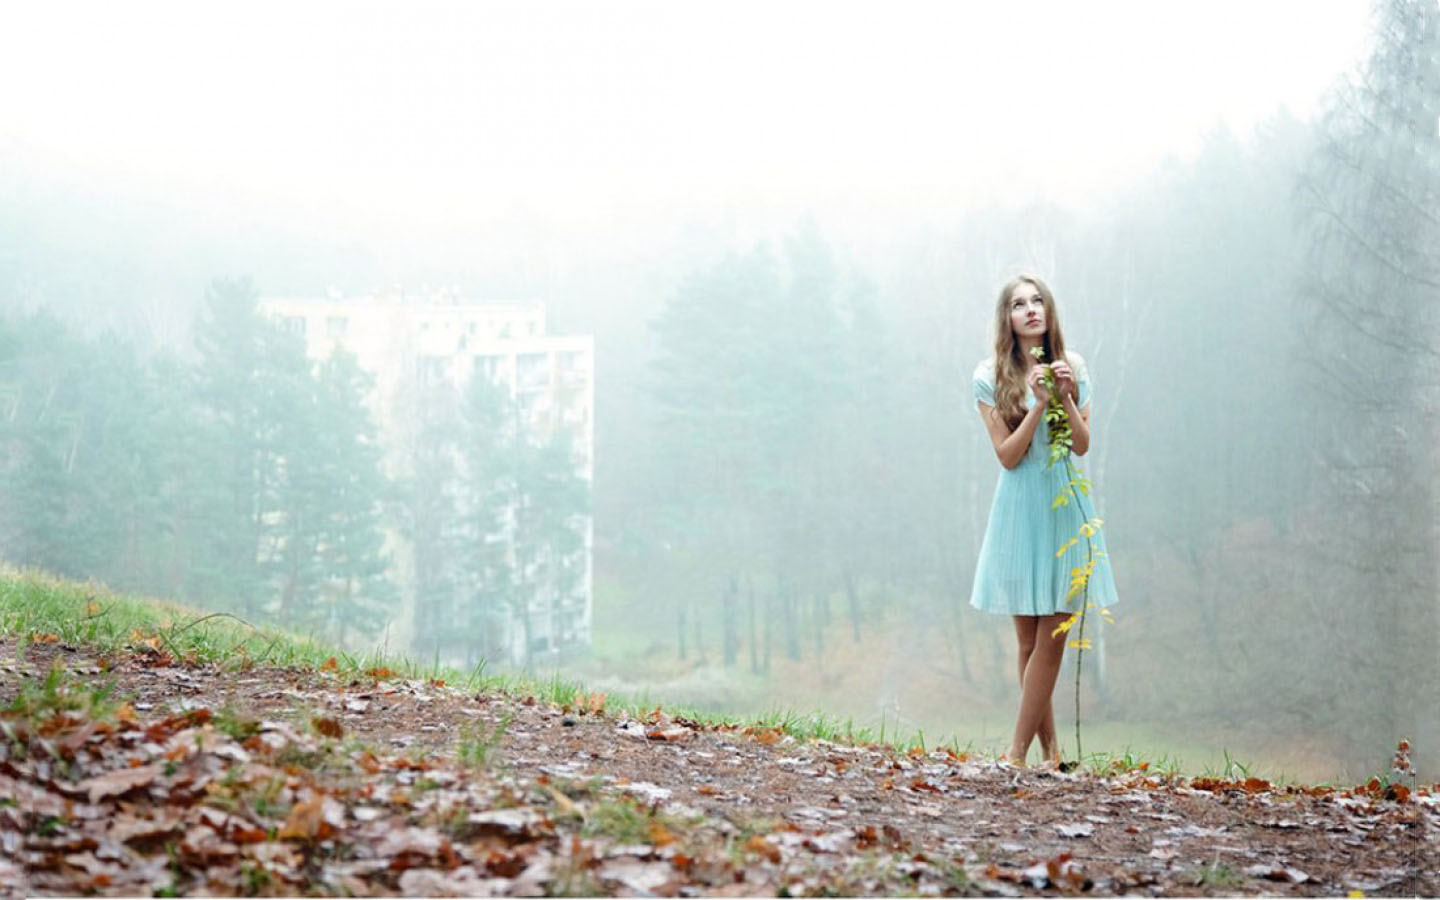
{"x":133,"y":773}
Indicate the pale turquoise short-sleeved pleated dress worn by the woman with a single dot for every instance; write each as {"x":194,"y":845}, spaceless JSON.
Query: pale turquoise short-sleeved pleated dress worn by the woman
{"x":1019,"y":572}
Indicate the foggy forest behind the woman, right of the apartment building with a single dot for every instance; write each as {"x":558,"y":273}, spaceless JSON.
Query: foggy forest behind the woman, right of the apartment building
{"x":1262,"y":329}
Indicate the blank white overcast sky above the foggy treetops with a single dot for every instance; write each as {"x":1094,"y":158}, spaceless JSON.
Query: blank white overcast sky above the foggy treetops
{"x":408,"y":116}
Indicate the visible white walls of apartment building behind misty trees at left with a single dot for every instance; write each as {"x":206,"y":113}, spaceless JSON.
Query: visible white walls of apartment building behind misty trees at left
{"x":415,"y":343}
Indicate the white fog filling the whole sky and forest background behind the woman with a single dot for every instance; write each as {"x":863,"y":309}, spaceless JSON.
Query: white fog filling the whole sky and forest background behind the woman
{"x":786,"y":231}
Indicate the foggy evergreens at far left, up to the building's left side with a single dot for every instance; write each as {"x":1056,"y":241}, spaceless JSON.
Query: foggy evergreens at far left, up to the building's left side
{"x":247,"y":480}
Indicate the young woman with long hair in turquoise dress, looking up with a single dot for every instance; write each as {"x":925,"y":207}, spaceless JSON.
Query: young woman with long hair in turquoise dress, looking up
{"x":1019,"y":572}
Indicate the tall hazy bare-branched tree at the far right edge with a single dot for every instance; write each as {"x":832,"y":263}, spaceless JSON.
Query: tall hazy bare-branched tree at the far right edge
{"x":1370,"y":199}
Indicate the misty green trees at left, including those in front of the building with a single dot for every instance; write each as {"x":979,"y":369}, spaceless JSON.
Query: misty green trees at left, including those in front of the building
{"x":253,"y":480}
